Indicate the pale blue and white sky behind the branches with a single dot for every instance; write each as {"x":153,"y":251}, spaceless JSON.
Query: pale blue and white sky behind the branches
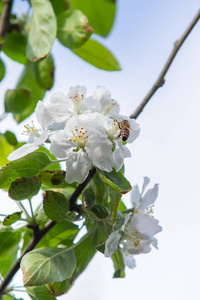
{"x":167,"y":149}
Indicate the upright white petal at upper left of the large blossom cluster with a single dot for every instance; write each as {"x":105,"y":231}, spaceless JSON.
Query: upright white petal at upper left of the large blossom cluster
{"x":43,"y":115}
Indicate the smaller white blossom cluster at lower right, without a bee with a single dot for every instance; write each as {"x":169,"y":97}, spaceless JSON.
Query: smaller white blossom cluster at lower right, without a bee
{"x":137,"y":233}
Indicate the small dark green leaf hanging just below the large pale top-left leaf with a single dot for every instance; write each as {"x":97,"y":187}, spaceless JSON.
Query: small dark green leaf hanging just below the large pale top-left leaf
{"x":43,"y":72}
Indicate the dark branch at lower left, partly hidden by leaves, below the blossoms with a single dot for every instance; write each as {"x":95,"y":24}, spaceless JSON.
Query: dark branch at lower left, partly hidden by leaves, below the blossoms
{"x":39,"y":234}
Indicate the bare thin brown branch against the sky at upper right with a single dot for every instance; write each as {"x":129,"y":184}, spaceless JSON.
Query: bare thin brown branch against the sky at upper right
{"x":161,"y":78}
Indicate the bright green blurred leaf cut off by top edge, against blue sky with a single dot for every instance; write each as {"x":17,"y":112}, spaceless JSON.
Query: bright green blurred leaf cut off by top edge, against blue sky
{"x":100,"y":13}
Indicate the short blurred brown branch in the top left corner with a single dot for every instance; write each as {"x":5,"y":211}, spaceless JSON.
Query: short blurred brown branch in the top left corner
{"x":5,"y":19}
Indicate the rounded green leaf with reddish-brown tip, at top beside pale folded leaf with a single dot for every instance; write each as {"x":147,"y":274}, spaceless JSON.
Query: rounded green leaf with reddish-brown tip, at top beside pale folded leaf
{"x":73,"y":29}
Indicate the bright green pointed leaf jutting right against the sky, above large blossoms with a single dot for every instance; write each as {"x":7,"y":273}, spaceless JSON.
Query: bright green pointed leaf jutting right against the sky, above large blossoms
{"x":98,"y":55}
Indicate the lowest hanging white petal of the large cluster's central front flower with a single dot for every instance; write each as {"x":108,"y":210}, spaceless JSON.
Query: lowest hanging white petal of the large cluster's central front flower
{"x":78,"y":166}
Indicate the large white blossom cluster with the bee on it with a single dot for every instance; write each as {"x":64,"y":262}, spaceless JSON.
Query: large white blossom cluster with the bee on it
{"x":82,"y":130}
